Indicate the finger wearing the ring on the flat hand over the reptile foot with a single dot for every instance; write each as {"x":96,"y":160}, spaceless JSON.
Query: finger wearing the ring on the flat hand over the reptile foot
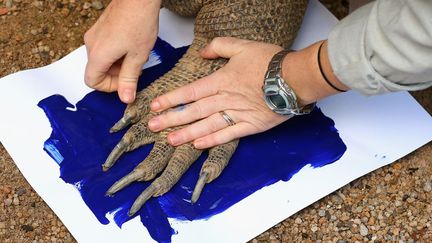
{"x":199,"y":129}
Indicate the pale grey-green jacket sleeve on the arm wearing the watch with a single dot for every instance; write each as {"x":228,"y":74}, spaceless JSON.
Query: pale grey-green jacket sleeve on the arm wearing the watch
{"x":384,"y":46}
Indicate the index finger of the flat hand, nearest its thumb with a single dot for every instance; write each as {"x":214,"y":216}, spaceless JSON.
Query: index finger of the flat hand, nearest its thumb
{"x":201,"y":88}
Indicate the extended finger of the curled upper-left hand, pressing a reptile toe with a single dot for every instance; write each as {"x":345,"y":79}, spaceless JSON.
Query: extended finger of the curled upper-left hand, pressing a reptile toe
{"x":128,"y":77}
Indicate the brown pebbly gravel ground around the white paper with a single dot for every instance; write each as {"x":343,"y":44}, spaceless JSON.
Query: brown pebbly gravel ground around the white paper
{"x":390,"y":204}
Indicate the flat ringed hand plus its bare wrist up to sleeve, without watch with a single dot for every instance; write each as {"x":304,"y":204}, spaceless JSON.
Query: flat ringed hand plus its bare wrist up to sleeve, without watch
{"x":236,"y":91}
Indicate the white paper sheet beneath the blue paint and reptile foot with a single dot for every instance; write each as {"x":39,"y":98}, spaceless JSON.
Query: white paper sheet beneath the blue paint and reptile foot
{"x":376,"y":131}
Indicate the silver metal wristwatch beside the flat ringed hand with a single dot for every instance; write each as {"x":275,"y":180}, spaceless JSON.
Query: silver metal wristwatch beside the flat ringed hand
{"x":278,"y":95}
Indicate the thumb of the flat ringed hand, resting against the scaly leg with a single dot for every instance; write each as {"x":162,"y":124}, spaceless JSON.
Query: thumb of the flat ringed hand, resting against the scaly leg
{"x":225,"y":47}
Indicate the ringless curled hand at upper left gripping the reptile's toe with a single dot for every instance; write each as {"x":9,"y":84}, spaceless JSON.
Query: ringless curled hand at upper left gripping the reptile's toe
{"x":118,"y":45}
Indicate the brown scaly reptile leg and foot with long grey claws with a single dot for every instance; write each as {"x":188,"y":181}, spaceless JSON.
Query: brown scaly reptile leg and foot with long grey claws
{"x":271,"y":21}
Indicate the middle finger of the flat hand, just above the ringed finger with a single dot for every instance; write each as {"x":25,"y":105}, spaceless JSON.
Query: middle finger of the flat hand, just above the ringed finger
{"x":189,"y":113}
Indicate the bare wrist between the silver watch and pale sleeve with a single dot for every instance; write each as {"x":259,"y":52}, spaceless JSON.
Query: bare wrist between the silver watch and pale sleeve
{"x":302,"y":73}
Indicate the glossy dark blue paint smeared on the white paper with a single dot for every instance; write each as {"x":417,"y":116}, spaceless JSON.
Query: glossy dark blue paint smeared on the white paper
{"x":80,"y":143}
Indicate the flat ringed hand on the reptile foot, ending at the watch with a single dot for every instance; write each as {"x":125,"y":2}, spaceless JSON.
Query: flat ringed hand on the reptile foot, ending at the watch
{"x":235,"y":89}
